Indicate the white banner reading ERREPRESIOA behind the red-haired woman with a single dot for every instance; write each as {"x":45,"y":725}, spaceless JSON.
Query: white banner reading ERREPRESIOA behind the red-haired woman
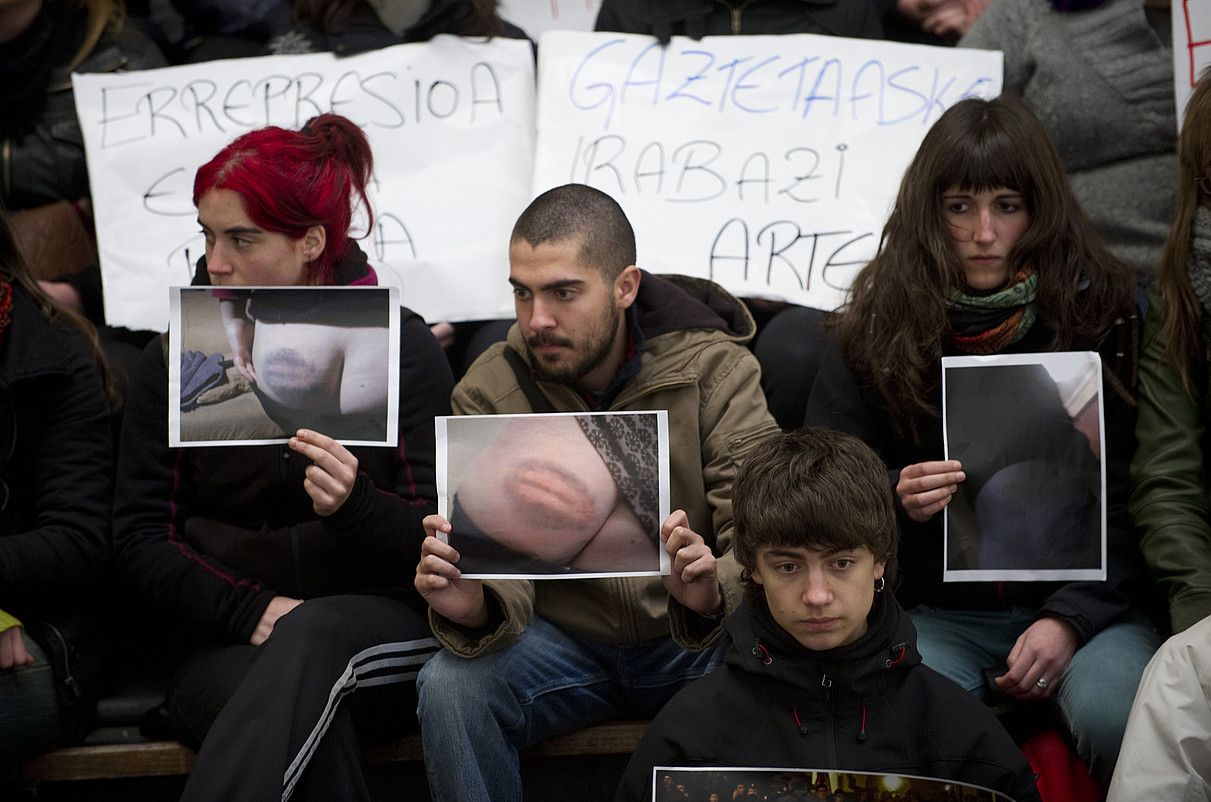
{"x":451,"y":124}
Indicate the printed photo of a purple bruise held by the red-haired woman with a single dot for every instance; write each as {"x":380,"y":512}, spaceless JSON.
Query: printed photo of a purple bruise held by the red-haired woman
{"x":259,"y":364}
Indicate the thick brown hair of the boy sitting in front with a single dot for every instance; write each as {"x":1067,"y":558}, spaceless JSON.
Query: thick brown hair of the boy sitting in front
{"x":814,"y":489}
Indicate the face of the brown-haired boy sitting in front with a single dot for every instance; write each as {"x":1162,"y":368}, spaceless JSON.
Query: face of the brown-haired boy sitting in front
{"x":820,"y":598}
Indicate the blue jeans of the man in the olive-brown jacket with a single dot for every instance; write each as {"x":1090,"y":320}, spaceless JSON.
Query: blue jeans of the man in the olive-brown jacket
{"x":478,"y":714}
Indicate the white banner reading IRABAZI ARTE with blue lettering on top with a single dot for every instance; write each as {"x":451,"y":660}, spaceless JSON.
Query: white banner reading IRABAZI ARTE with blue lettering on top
{"x":767,"y":164}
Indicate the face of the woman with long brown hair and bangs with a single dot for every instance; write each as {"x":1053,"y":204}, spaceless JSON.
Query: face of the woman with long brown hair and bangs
{"x":985,"y":227}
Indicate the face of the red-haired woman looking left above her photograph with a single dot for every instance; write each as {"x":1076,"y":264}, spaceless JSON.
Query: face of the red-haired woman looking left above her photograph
{"x":242,"y":254}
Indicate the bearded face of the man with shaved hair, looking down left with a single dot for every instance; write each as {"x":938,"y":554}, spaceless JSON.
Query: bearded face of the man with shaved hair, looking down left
{"x":571,"y":317}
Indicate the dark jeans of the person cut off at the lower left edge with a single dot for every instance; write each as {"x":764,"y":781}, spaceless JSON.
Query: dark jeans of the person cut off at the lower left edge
{"x":31,"y":718}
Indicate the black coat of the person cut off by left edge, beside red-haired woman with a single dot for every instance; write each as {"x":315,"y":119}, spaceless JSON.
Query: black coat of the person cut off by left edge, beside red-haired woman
{"x":61,"y":479}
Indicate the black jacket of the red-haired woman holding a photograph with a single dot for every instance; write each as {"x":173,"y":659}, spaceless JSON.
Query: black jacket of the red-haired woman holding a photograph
{"x":213,"y":535}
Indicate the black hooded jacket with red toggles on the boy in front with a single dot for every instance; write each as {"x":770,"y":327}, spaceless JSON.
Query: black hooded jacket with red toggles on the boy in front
{"x":869,"y":707}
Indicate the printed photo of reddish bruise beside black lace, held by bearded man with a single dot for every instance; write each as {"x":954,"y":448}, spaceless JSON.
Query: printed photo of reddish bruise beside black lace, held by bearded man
{"x":556,"y":496}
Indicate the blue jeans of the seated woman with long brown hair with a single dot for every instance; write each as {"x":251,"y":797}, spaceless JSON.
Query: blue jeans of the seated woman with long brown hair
{"x":1095,"y":692}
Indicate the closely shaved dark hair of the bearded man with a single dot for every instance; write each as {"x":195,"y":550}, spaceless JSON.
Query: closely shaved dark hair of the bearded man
{"x":588,"y":216}
